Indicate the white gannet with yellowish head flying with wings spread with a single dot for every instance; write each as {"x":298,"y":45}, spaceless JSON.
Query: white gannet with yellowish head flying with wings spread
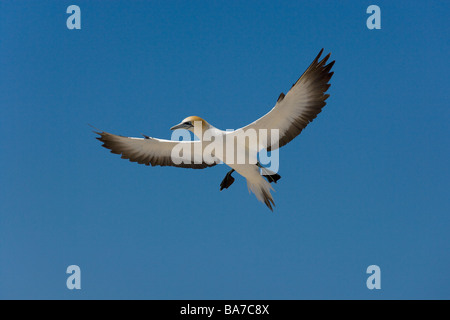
{"x":291,"y":114}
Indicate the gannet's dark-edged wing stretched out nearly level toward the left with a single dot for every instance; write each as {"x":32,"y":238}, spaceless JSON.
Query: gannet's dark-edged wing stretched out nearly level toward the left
{"x":156,"y":152}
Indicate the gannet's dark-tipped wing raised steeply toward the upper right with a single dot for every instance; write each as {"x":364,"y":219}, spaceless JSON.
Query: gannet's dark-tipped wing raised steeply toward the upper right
{"x":299,"y":106}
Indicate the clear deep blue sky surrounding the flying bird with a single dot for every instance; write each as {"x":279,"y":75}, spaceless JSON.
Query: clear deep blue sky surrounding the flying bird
{"x":366,"y":183}
